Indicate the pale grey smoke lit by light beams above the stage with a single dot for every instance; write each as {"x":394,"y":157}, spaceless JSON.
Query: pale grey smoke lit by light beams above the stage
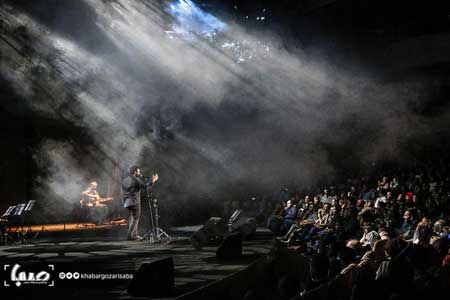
{"x":206,"y":102}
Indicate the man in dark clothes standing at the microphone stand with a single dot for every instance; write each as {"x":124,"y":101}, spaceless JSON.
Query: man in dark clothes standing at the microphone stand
{"x":131,"y":188}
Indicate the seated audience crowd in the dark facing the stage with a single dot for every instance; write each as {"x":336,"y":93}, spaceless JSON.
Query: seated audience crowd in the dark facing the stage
{"x":370,"y":239}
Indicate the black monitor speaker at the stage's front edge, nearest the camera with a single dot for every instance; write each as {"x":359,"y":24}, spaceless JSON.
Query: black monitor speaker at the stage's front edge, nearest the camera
{"x":154,"y":279}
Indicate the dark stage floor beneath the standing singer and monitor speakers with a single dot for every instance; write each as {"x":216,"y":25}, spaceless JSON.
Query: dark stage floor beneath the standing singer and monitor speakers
{"x":91,"y":251}
